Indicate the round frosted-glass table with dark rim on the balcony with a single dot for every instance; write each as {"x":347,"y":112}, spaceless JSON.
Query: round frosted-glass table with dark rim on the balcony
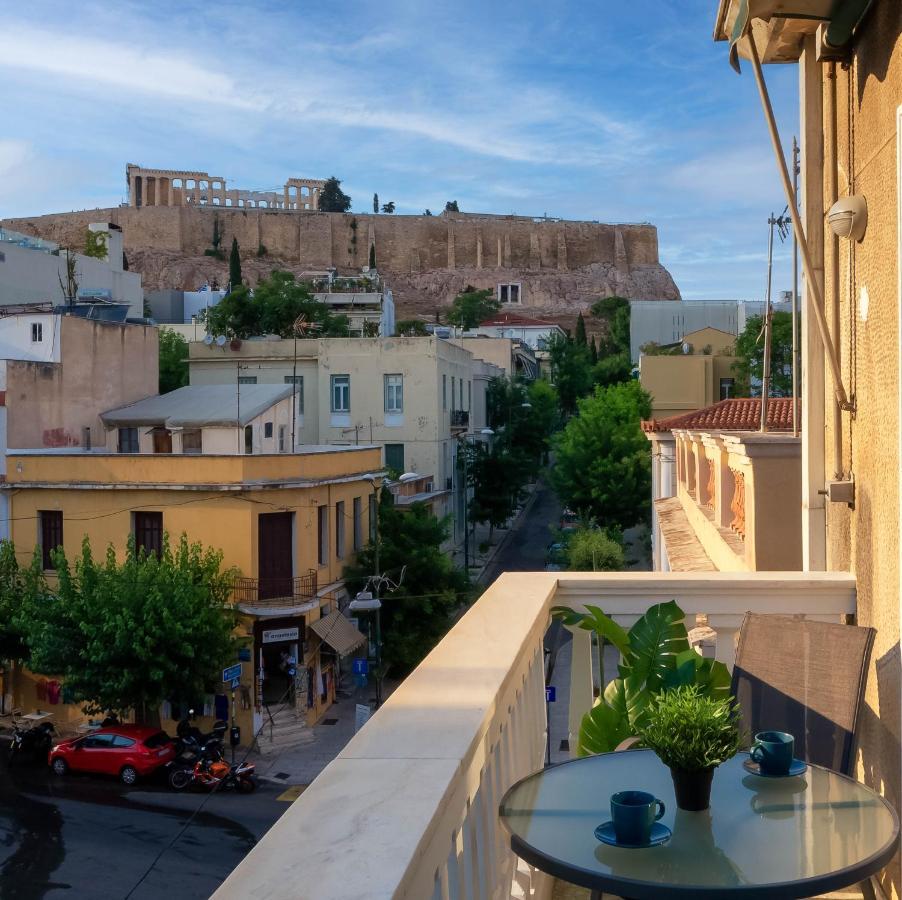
{"x":762,"y":837}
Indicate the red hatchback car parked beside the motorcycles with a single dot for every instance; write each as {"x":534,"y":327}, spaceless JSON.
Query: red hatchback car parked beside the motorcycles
{"x":128,"y":751}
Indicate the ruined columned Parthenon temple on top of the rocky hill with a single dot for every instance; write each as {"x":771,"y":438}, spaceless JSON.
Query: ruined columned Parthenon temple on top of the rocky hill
{"x":175,"y":187}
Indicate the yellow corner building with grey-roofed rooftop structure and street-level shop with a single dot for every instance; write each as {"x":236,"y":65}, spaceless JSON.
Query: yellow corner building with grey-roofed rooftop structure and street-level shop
{"x":288,"y":522}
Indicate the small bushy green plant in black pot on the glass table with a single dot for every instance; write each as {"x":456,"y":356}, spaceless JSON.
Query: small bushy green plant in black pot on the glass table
{"x":692,"y":735}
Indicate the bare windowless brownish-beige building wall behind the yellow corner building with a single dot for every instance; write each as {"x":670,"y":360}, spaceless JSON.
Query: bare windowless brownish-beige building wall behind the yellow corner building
{"x":102,"y":366}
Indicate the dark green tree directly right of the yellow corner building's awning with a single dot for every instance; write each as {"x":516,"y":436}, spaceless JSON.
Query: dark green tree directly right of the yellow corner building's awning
{"x":417,"y":615}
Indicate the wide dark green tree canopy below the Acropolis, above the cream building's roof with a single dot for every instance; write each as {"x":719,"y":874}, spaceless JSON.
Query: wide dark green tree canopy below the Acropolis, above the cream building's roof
{"x":272,"y":308}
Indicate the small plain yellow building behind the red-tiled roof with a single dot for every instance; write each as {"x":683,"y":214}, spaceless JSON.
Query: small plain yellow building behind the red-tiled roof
{"x":691,"y":374}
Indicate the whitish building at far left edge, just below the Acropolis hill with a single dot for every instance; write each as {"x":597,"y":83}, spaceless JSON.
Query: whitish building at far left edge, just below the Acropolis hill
{"x":31,"y":271}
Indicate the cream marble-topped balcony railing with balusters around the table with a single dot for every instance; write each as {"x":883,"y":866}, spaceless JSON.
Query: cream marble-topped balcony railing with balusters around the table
{"x":419,"y":786}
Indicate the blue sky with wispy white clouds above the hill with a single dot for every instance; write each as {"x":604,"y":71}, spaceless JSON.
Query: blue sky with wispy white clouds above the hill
{"x":609,"y":111}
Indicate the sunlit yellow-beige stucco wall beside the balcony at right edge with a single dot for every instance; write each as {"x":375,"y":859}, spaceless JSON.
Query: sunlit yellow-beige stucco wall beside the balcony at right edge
{"x":866,"y":539}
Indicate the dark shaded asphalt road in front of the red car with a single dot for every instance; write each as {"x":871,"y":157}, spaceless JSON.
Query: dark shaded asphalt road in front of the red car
{"x":86,"y":836}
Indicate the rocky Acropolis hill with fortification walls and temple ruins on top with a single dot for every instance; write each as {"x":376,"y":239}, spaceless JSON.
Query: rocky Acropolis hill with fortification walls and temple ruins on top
{"x":562,"y":266}
